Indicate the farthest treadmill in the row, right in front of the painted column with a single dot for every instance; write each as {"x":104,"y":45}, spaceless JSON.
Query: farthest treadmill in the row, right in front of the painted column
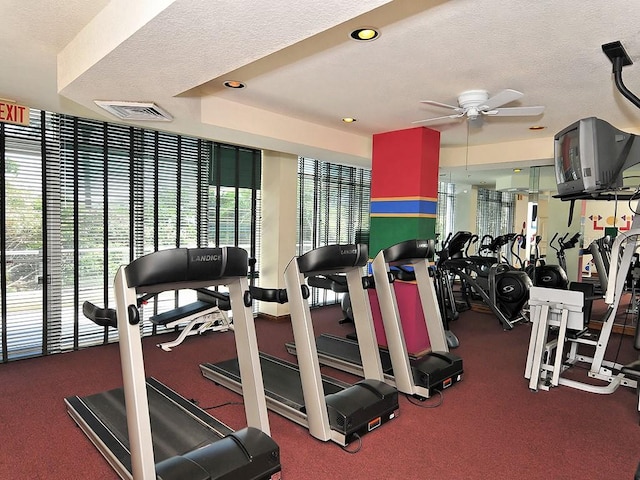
{"x":422,"y":377}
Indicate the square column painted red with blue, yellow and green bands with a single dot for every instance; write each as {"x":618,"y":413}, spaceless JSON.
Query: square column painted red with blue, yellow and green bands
{"x":404,"y":196}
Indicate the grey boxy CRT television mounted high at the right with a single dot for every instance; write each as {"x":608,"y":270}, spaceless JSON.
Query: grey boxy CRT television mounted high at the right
{"x":590,"y":156}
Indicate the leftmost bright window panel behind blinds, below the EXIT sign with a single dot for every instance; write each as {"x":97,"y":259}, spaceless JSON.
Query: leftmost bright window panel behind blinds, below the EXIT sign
{"x":21,"y":238}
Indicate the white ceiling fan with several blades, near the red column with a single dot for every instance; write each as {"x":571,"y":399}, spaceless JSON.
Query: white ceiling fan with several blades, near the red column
{"x":475,"y":104}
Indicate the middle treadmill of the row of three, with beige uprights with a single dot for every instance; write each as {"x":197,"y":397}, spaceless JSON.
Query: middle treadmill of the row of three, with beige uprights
{"x":330,"y":409}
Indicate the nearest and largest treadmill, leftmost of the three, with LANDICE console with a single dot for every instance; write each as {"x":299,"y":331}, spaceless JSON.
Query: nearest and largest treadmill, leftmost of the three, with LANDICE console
{"x":146,"y":430}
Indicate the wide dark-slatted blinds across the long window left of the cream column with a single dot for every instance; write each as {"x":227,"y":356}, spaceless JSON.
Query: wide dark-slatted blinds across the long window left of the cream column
{"x":82,"y":197}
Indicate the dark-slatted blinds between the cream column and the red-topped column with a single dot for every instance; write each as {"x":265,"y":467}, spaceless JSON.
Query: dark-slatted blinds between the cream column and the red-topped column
{"x":333,"y":207}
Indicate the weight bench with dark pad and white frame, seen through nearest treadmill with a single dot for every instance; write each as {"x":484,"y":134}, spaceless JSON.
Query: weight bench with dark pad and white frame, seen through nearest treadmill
{"x":205,"y":314}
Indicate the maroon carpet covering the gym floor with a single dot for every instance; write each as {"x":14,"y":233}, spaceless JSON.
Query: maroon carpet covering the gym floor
{"x":489,"y":426}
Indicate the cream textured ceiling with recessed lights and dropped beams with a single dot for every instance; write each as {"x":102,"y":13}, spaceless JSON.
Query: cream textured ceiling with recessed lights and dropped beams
{"x":303,"y":72}
